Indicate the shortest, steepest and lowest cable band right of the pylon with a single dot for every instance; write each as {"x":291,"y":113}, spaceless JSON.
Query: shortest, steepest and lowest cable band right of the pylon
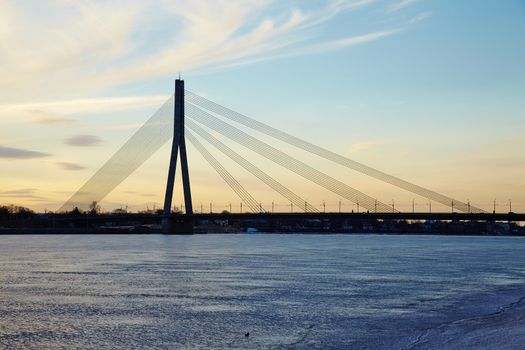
{"x":226,"y":176}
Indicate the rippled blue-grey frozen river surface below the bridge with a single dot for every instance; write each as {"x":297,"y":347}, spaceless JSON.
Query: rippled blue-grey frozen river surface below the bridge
{"x":287,"y":291}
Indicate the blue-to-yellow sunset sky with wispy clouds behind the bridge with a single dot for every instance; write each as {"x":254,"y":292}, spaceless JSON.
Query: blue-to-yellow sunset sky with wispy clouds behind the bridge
{"x":430,"y":91}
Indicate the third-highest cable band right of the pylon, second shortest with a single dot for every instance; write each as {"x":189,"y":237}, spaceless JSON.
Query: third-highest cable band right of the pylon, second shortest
{"x":254,"y":170}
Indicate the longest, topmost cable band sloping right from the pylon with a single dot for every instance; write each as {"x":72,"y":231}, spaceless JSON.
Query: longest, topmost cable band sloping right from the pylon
{"x":326,"y":154}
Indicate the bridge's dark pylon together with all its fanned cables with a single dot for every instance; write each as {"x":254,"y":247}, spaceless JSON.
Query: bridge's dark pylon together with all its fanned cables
{"x":186,"y":116}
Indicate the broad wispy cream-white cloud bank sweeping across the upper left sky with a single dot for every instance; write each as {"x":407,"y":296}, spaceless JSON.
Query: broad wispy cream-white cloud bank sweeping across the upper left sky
{"x":97,"y":46}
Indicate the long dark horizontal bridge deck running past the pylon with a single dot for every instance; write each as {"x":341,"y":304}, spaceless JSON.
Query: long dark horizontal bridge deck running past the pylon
{"x":155,"y":218}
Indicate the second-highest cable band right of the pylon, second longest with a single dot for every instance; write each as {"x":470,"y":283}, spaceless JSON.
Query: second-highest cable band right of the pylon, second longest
{"x":284,"y":160}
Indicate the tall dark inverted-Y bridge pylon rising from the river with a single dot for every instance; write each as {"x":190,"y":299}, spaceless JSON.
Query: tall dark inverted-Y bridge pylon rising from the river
{"x":178,"y":145}
